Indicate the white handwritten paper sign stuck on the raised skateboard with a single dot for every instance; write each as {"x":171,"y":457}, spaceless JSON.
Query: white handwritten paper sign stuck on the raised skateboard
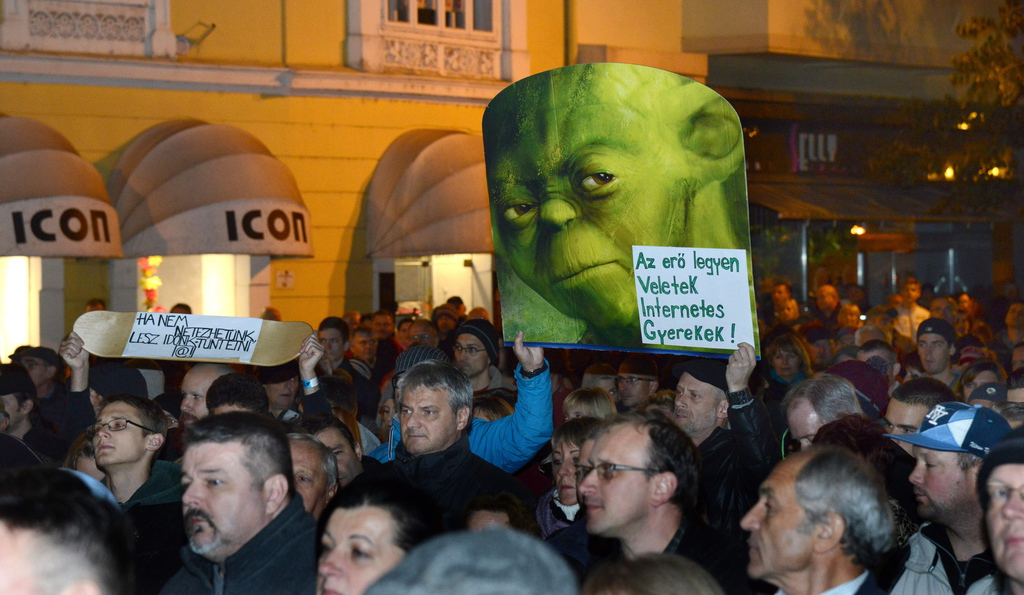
{"x":193,"y":336}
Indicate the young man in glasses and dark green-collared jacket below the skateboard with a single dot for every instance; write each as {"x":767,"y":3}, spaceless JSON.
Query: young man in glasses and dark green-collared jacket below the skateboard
{"x":127,"y":439}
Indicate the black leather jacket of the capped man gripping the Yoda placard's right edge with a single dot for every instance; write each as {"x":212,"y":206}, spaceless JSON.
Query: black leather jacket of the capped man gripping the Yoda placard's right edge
{"x":735,"y":463}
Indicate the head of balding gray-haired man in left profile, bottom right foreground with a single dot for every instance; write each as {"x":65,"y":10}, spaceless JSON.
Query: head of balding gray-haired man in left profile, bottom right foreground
{"x":823,"y":520}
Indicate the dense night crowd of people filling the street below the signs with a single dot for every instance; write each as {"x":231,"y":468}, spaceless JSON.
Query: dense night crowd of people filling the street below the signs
{"x":876,"y":453}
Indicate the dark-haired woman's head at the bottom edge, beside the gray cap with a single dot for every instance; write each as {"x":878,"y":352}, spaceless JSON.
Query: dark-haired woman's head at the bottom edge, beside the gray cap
{"x":368,"y":529}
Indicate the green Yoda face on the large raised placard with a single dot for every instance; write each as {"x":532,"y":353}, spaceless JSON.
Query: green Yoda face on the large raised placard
{"x":587,"y":161}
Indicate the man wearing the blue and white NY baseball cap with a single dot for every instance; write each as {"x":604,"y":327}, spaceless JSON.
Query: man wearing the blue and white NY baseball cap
{"x":950,"y":554}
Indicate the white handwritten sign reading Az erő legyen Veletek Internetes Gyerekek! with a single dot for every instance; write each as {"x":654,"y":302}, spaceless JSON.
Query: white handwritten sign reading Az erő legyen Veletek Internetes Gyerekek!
{"x":698,"y":299}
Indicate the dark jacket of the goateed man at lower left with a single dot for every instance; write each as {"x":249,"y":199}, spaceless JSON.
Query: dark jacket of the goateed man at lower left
{"x":281,"y":560}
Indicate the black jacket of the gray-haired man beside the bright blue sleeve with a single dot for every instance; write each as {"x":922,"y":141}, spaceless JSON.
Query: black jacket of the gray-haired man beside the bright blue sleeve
{"x":453,"y":478}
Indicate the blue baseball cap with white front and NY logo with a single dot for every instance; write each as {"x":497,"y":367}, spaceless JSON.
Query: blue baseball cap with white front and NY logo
{"x":959,"y":428}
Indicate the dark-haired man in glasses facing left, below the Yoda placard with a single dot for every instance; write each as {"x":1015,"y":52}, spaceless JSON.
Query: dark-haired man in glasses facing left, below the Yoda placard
{"x":641,"y":486}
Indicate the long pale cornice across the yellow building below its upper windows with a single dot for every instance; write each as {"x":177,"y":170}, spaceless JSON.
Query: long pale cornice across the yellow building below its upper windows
{"x":157,"y":74}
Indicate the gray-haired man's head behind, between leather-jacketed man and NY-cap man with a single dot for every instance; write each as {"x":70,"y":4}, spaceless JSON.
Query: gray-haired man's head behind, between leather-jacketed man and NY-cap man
{"x":817,"y":402}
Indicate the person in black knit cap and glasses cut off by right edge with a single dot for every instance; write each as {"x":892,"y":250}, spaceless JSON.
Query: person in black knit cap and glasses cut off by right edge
{"x":1001,"y":489}
